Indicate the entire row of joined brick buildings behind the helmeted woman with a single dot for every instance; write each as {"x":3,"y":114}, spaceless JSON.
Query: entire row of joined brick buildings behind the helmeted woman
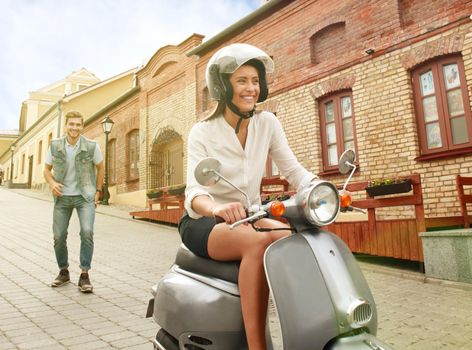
{"x":392,"y":79}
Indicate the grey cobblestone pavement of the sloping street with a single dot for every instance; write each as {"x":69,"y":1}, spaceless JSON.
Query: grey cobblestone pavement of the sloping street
{"x":130,"y":256}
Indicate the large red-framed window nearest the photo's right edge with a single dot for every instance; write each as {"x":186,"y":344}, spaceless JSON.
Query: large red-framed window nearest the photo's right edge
{"x":442,"y":107}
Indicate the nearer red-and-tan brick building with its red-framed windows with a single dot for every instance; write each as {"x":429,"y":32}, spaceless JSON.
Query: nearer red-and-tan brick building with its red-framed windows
{"x":391,"y":78}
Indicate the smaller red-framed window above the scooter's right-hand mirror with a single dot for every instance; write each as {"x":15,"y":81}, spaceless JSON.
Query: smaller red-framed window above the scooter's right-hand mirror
{"x":337,"y":127}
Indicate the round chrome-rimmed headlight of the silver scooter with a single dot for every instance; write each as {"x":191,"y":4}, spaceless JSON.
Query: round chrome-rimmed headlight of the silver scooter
{"x":320,"y":203}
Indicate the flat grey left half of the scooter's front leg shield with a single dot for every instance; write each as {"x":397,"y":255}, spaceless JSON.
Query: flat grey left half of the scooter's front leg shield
{"x":290,"y":264}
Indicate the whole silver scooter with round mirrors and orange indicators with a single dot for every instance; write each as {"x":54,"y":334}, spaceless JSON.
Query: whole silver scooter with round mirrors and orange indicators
{"x":320,"y":294}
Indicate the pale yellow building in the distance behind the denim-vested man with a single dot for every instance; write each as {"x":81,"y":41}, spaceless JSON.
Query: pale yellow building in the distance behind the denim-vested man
{"x":41,"y":119}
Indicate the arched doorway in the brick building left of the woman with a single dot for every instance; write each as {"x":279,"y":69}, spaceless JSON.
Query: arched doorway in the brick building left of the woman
{"x":166,"y":161}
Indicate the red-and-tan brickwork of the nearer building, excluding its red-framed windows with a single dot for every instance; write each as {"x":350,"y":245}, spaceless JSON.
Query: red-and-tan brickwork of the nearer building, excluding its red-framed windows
{"x":402,"y":34}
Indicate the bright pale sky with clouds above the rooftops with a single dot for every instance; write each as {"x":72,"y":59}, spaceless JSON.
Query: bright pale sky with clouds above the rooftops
{"x":43,"y":41}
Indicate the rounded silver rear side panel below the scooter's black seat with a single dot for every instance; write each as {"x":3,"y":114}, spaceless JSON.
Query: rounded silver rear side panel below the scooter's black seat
{"x":184,"y":305}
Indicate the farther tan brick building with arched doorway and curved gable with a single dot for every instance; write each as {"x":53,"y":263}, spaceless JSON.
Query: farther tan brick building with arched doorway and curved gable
{"x":152,"y":121}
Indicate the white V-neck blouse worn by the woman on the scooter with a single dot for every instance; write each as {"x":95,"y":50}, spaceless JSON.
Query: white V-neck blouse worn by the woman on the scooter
{"x":244,"y":167}
